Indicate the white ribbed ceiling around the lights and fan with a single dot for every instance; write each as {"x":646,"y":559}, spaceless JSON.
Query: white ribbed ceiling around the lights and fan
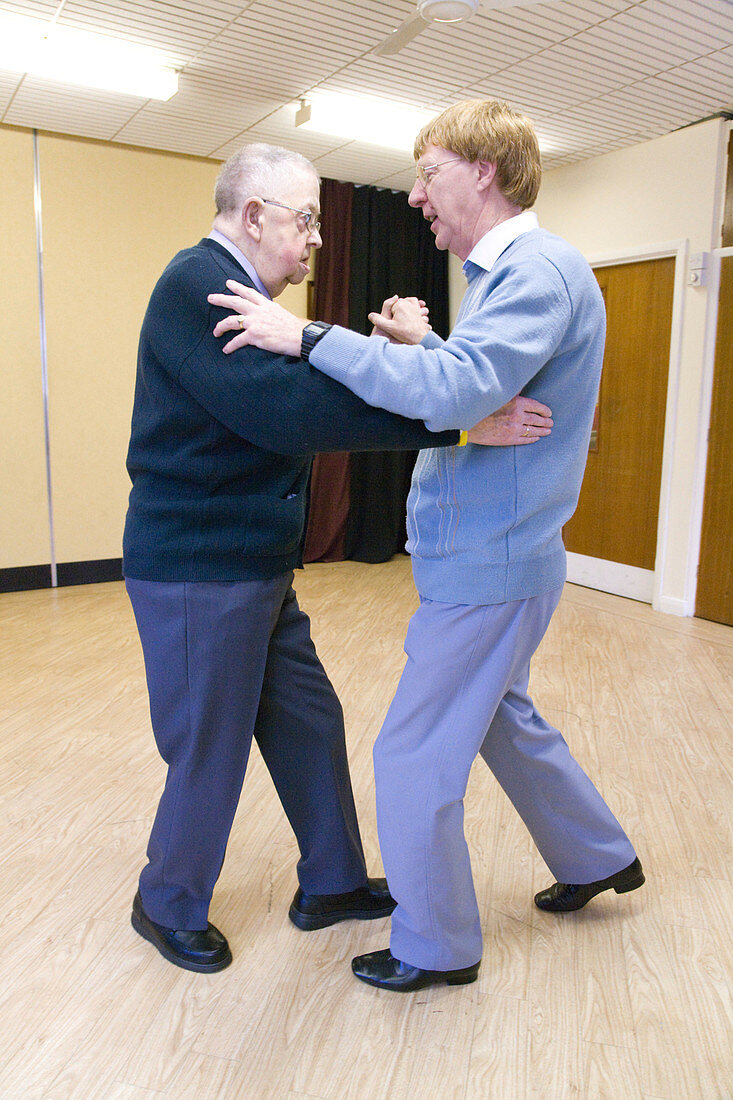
{"x":595,"y":75}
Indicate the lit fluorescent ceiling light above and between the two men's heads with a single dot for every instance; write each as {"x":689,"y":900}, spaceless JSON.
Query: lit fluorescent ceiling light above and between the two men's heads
{"x":364,"y":119}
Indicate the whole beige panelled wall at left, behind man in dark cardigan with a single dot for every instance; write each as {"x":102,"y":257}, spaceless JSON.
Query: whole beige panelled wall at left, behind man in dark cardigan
{"x":113,"y":217}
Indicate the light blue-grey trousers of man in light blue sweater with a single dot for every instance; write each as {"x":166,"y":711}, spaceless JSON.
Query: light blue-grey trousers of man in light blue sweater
{"x":464,"y":691}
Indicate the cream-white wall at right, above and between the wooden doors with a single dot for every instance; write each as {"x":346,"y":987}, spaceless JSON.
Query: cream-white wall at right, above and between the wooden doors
{"x":661,"y":196}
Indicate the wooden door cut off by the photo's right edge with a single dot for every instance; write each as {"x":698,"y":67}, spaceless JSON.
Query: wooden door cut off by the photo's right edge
{"x":715,"y":600}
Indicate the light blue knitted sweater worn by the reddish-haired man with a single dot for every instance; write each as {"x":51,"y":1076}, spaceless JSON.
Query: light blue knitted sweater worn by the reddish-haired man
{"x":485,"y":523}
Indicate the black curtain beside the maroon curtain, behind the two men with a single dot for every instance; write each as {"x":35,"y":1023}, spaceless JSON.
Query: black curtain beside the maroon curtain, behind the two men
{"x":392,"y":252}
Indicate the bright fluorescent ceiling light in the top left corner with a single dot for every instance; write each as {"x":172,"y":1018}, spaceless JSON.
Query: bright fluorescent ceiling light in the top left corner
{"x":80,"y":58}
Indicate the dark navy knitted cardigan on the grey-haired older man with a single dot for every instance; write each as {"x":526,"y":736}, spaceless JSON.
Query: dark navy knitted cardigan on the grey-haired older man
{"x":222,"y":446}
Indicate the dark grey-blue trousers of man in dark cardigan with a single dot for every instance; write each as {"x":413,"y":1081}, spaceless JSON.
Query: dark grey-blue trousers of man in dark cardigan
{"x":227,"y":663}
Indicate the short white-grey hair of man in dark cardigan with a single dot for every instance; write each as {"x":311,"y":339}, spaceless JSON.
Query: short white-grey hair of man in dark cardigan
{"x":256,"y":170}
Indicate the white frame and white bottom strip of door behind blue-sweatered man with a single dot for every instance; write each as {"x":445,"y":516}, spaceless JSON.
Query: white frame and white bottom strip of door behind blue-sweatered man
{"x":614,"y":577}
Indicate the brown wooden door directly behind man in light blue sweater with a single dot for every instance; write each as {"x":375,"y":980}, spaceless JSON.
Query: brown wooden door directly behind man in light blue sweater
{"x":618,"y":513}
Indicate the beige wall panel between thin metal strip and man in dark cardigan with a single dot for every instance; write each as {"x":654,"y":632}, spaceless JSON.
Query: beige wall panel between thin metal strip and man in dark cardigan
{"x":113,"y":219}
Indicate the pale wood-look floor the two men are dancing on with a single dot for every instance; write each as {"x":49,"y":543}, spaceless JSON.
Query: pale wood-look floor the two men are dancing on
{"x":629,"y":999}
